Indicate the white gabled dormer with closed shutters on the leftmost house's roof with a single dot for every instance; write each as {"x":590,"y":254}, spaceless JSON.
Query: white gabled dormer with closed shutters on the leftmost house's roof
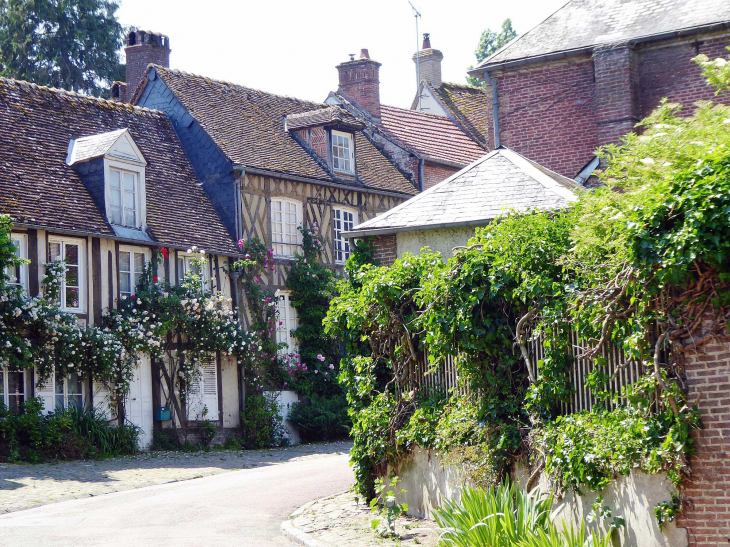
{"x":113,"y":169}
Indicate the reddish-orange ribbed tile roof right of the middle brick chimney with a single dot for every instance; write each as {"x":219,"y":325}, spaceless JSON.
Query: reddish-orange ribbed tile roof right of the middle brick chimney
{"x":435,"y":137}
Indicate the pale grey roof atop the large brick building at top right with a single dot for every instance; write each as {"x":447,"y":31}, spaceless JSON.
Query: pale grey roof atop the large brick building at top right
{"x":582,"y":24}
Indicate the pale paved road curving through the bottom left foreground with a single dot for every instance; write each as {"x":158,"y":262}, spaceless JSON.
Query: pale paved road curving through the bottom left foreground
{"x":241,"y":508}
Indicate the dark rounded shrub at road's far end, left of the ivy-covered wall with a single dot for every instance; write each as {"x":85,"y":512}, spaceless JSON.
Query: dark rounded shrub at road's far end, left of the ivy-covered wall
{"x":321,"y":418}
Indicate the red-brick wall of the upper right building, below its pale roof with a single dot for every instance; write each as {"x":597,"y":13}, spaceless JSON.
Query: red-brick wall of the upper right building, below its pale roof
{"x":557,"y":113}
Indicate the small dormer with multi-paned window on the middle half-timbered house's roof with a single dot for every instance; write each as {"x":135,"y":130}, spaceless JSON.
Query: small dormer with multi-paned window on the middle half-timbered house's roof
{"x":328,"y":133}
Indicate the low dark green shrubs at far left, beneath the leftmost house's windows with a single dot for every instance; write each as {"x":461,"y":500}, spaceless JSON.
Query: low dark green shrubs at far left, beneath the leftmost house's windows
{"x":27,"y":435}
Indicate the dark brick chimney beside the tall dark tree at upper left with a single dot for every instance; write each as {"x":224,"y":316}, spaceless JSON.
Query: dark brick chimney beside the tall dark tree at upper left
{"x":141,"y":48}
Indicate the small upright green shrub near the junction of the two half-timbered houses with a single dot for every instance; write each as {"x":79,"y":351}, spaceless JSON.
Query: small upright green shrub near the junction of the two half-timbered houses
{"x":261,"y":422}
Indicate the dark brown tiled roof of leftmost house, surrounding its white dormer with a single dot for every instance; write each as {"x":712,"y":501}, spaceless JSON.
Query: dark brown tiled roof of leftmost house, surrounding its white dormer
{"x":38,"y":188}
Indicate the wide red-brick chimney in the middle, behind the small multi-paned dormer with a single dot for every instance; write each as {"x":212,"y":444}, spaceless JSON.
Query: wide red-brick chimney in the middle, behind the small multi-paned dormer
{"x":360,"y":83}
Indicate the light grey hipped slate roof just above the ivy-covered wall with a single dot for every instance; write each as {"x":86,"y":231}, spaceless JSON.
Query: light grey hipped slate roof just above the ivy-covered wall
{"x":500,"y":181}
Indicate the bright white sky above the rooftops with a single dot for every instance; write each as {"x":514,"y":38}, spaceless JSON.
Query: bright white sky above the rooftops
{"x":292,"y":47}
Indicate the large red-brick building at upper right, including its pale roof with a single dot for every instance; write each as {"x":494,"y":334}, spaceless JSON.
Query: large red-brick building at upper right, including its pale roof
{"x":584,"y":76}
